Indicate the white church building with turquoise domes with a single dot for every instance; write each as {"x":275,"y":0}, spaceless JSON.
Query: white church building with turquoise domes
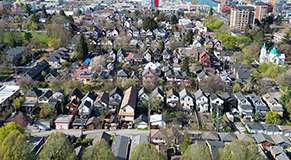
{"x":273,"y":56}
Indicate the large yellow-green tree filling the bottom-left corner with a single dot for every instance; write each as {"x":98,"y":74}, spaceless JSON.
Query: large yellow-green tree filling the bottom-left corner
{"x":15,"y":146}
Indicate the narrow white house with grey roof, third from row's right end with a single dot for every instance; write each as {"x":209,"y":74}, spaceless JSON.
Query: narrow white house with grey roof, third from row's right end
{"x":244,"y":106}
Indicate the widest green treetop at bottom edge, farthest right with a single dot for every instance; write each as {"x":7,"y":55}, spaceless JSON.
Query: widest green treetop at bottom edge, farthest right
{"x":240,"y":150}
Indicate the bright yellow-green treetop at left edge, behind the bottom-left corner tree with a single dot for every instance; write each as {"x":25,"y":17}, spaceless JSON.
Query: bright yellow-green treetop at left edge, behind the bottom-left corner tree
{"x":6,"y":130}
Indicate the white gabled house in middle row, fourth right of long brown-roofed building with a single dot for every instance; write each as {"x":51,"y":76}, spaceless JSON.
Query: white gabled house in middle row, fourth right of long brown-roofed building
{"x":187,"y":100}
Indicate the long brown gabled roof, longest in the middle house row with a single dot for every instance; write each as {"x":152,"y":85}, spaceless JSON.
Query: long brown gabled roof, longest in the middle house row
{"x":130,"y":97}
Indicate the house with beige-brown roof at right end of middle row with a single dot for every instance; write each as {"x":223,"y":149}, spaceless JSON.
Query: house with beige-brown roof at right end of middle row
{"x":273,"y":104}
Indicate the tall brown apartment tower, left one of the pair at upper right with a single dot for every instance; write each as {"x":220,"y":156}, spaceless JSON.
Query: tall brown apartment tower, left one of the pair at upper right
{"x":241,"y":16}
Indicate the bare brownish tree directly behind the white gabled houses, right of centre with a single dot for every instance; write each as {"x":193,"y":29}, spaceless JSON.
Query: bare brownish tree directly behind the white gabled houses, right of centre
{"x":211,"y":84}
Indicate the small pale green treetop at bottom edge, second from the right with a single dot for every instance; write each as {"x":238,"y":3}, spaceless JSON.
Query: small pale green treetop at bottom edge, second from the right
{"x":195,"y":152}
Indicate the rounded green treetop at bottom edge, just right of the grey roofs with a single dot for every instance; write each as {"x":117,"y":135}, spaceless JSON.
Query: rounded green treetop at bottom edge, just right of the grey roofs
{"x":146,"y":151}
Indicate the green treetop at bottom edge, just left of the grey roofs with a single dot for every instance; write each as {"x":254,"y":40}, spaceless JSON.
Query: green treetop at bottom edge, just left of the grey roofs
{"x":100,"y":150}
